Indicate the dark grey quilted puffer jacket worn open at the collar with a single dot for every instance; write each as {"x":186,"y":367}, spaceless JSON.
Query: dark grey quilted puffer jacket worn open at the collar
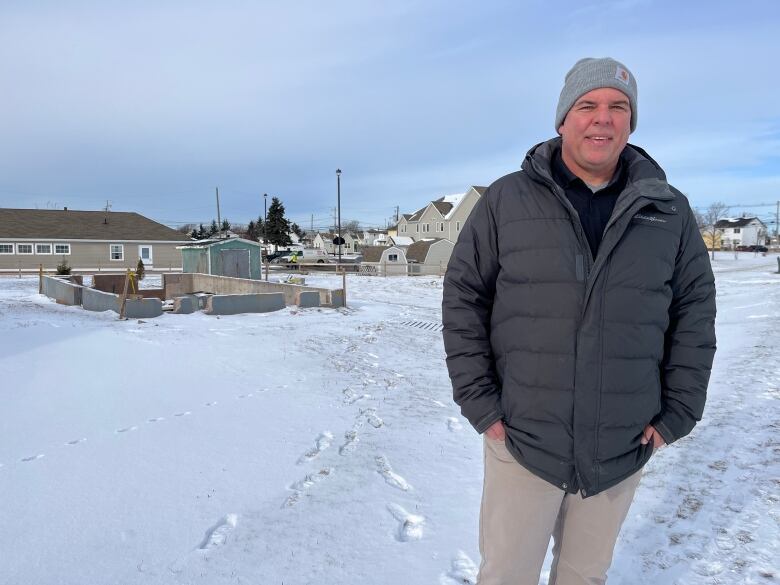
{"x":577,"y":355}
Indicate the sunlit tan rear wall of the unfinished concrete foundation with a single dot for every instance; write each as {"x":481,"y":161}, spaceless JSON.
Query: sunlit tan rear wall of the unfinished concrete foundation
{"x":177,"y":285}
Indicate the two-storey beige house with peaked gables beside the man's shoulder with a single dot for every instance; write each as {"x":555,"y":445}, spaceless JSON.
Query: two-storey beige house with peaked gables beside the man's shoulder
{"x":442,"y":218}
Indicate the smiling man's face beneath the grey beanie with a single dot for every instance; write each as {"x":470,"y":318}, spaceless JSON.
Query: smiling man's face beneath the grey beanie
{"x":594,"y":133}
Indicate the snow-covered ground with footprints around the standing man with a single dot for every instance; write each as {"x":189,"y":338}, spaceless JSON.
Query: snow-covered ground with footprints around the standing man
{"x":322,"y":446}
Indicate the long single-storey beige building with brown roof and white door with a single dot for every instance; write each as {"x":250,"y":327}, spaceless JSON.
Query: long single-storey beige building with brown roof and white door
{"x":88,"y":240}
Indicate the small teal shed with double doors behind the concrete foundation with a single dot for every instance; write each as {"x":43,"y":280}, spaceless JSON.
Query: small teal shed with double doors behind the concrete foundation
{"x":234,"y":257}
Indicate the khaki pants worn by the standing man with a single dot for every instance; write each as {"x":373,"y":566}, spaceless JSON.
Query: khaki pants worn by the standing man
{"x":521,"y":511}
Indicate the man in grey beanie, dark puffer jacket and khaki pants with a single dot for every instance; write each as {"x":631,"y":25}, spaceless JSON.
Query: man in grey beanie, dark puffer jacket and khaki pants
{"x":579,"y":309}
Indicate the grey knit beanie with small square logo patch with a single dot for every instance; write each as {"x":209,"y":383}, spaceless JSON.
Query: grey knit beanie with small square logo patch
{"x":589,"y":74}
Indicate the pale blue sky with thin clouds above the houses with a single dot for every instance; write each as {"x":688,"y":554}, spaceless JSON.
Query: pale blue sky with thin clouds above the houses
{"x":151,"y":105}
